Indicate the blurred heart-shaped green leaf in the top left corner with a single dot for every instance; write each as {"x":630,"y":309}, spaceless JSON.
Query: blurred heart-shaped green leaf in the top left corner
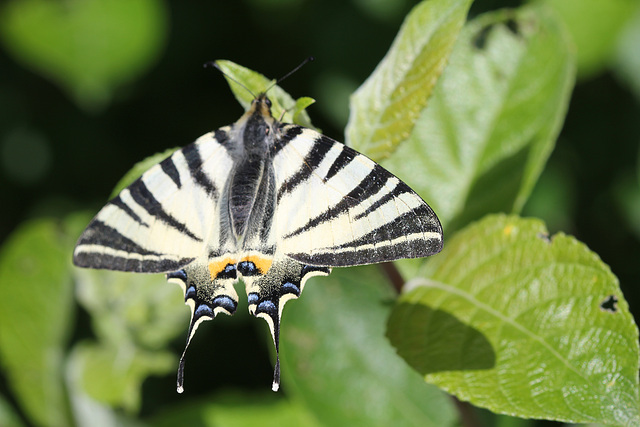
{"x":88,"y":47}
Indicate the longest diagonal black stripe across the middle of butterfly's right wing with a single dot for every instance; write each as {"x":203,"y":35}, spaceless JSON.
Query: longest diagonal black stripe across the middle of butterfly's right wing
{"x":375,"y":180}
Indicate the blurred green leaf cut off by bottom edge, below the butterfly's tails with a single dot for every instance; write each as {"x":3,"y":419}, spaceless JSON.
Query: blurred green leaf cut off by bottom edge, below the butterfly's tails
{"x":233,"y":409}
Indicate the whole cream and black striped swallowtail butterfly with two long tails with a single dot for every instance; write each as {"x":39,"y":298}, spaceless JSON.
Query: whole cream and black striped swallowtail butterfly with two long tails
{"x":267,"y":202}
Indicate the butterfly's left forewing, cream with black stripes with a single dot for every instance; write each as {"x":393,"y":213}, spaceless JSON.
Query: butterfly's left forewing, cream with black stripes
{"x":159,"y":223}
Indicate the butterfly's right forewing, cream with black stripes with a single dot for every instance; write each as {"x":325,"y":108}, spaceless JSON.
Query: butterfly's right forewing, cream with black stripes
{"x":336,"y":207}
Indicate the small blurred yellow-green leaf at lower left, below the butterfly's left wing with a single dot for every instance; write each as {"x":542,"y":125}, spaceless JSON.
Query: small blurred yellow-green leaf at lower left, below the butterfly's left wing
{"x":113,"y":374}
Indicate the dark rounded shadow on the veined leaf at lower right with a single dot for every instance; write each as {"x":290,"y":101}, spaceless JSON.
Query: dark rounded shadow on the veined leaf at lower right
{"x":432,"y":341}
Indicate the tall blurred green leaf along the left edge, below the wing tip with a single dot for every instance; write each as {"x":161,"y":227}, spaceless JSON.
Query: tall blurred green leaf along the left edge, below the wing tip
{"x":36,"y":308}
